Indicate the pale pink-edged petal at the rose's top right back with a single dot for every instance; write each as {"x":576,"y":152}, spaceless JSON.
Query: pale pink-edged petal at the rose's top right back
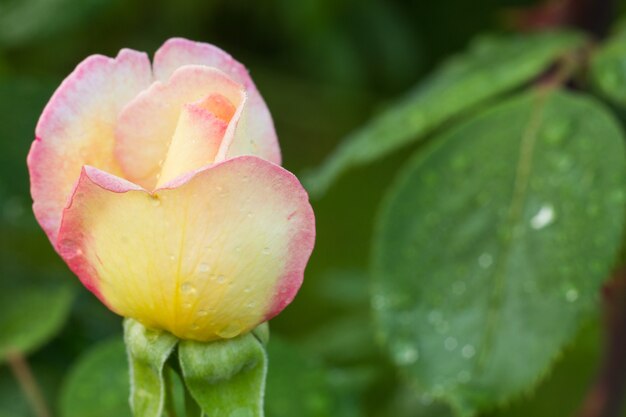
{"x":256,"y":135}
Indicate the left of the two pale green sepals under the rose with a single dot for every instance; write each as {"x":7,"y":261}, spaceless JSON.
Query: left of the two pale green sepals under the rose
{"x":148,"y":351}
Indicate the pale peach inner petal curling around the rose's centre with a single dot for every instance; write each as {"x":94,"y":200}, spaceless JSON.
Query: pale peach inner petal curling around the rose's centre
{"x":148,"y":123}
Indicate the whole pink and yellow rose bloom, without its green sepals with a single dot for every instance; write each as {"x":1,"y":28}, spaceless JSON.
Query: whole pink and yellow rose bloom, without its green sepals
{"x":161,"y":187}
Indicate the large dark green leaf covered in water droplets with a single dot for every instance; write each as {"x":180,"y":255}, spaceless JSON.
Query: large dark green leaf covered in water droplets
{"x":492,"y":247}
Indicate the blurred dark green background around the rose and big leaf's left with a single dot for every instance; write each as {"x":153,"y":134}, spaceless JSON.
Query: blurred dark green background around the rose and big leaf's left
{"x":324,"y":67}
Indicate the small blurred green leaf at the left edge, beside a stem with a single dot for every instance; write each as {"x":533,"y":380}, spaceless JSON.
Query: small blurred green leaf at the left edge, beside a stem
{"x":30,"y":315}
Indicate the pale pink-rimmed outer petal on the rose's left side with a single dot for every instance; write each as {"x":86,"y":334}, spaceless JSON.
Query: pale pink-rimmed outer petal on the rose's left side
{"x":77,"y":128}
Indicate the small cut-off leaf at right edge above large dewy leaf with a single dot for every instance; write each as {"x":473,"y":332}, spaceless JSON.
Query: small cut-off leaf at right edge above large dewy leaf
{"x":608,"y":69}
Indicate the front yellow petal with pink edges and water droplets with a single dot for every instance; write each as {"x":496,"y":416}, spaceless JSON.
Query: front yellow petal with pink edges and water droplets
{"x":211,"y":258}
